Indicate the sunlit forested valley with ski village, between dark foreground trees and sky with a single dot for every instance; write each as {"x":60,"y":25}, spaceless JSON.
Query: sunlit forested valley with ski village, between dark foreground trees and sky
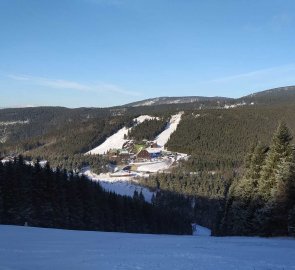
{"x":183,"y":156}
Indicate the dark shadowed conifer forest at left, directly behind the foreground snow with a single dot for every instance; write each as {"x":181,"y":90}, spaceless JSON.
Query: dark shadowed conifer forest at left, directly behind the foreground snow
{"x":56,"y":199}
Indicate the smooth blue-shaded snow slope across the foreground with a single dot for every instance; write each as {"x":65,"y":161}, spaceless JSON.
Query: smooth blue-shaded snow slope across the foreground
{"x":34,"y":248}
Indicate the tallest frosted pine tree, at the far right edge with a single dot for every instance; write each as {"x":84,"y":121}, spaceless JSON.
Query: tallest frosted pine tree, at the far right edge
{"x":274,"y":185}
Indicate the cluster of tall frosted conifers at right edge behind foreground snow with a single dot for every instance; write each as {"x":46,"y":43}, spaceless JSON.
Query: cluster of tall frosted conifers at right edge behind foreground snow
{"x":262,"y":201}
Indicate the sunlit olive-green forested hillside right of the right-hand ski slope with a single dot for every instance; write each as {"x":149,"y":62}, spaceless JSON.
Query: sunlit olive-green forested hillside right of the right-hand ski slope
{"x":219,"y":139}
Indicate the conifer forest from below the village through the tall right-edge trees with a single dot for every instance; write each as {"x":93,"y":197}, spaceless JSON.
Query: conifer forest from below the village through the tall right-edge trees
{"x":260,"y":200}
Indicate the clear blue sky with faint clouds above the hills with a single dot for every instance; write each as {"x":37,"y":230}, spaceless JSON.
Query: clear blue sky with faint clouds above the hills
{"x":108,"y":52}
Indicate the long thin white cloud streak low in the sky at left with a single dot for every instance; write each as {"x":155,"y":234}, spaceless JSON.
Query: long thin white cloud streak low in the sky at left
{"x":71,"y":85}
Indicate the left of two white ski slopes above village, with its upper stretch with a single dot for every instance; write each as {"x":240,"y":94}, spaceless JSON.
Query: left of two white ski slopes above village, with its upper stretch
{"x":116,"y":141}
